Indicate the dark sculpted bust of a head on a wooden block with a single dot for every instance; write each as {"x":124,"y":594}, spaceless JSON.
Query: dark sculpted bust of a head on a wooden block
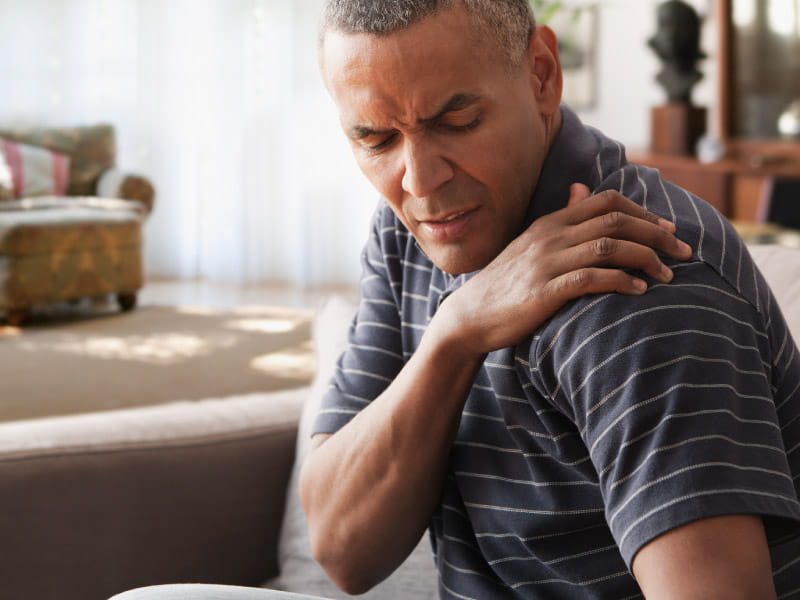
{"x":677,"y":44}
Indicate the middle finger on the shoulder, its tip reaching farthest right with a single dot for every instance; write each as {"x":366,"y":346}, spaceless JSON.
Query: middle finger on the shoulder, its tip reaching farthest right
{"x":623,"y":226}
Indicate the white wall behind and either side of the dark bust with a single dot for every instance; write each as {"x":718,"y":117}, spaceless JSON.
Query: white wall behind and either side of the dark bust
{"x":627,"y":67}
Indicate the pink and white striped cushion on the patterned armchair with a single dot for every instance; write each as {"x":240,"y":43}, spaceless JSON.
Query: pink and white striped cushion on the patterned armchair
{"x":35,"y":171}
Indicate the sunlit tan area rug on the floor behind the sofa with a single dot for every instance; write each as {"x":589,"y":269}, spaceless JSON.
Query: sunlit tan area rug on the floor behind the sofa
{"x":107,"y":360}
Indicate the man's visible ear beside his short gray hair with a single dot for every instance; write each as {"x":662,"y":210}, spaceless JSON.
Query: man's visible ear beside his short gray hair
{"x":547,"y":78}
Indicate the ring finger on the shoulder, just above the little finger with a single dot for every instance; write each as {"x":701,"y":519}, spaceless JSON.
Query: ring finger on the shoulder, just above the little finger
{"x":611,"y":252}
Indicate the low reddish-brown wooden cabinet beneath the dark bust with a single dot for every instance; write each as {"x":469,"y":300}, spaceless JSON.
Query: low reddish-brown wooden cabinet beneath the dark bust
{"x":735,"y":186}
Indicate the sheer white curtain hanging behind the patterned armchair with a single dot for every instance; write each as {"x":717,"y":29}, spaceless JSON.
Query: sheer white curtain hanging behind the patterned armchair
{"x":220,"y":103}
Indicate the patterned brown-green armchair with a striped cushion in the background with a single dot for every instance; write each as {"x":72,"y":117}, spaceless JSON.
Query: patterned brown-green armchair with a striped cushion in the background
{"x":70,"y":220}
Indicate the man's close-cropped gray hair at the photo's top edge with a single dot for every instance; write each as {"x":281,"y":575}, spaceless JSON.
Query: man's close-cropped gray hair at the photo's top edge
{"x":508,"y":22}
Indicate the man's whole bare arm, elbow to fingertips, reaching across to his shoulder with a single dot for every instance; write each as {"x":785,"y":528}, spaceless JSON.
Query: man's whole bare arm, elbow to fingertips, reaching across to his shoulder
{"x":369,"y":490}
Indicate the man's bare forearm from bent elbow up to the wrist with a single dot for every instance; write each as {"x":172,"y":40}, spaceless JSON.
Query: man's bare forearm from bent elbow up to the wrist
{"x":370,"y":489}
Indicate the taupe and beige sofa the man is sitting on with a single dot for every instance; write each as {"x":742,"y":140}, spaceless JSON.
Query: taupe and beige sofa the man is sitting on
{"x":204,"y":491}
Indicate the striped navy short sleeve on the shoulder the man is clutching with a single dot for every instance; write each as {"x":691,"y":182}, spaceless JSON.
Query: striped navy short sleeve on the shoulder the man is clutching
{"x":673,"y":395}
